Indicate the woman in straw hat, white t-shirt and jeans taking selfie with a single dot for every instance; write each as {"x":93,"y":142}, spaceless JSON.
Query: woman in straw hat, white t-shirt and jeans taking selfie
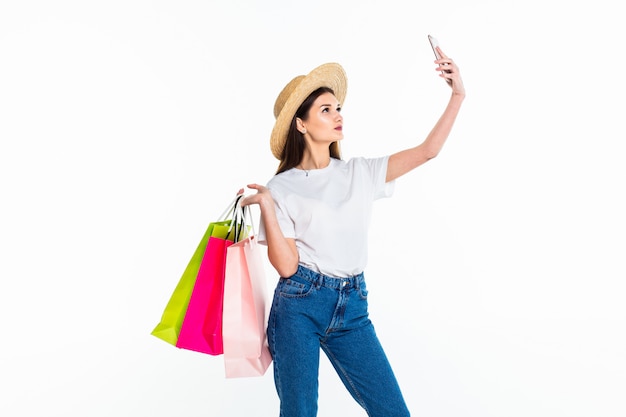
{"x":314,"y":219}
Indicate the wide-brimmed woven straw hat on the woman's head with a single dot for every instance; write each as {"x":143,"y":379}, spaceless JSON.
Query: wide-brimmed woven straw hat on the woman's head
{"x":329,"y":75}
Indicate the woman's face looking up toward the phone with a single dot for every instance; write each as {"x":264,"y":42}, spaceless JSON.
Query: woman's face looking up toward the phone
{"x":324,"y":122}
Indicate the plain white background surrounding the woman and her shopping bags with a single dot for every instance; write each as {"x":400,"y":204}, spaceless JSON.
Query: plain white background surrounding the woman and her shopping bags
{"x":496,"y":271}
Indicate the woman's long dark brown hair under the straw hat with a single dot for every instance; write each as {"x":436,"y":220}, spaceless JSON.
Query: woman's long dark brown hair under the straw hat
{"x":294,"y":146}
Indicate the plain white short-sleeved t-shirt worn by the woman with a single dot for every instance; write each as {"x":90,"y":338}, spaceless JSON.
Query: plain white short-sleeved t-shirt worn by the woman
{"x":327,"y":211}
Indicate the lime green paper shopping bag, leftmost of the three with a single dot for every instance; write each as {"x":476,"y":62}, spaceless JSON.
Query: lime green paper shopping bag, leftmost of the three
{"x":168,"y":329}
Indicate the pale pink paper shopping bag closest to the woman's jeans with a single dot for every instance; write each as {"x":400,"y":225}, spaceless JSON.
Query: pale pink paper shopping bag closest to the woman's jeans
{"x":246,"y":352}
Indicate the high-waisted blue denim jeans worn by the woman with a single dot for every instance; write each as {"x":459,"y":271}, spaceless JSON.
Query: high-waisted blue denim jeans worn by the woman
{"x":311,"y":310}
